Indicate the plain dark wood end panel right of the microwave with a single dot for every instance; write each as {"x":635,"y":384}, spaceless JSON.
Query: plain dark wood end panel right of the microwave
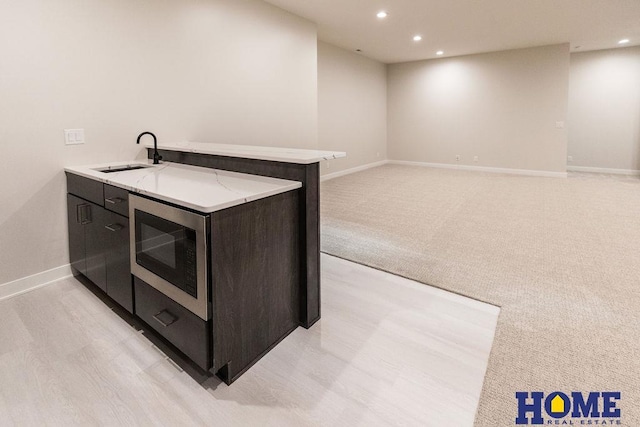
{"x":255,"y":259}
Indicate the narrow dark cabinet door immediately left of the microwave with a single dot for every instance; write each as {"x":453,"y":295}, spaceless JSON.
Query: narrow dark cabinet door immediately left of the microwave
{"x":119,"y":282}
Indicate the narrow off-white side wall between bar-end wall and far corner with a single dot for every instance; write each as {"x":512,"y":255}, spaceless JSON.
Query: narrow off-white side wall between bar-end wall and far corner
{"x":352,"y":107}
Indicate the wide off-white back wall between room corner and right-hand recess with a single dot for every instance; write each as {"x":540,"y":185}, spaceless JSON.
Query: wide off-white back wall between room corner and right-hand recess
{"x":501,"y":106}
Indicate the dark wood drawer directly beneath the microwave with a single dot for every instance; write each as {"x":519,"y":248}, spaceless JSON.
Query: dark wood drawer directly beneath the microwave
{"x":179,"y":326}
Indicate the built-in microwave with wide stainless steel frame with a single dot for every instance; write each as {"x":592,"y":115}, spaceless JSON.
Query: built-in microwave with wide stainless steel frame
{"x":169,"y":252}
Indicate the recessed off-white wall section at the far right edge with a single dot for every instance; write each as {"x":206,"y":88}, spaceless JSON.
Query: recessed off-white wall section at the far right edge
{"x":604,"y":109}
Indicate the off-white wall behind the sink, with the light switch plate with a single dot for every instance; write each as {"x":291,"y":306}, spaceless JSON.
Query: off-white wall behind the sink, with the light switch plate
{"x":231,"y":71}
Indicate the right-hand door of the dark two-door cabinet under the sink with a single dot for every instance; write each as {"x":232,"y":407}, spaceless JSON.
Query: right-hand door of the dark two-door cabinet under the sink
{"x":95,"y":240}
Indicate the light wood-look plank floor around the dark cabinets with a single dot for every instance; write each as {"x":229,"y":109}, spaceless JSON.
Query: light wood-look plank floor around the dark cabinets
{"x":387,"y":351}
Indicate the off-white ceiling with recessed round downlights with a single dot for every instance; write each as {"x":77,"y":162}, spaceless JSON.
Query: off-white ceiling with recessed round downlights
{"x":461,"y":27}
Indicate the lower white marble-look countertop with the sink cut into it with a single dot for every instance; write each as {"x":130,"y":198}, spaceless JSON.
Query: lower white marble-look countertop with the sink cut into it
{"x":201,"y":189}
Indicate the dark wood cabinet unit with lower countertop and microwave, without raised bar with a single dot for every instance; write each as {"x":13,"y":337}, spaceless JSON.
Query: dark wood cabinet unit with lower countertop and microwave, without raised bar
{"x":208,"y":259}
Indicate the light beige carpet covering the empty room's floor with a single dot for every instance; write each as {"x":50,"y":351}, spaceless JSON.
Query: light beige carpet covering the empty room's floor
{"x":561,"y":257}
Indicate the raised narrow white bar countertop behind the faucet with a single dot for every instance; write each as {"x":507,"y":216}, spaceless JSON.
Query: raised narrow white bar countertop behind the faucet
{"x":278,"y":154}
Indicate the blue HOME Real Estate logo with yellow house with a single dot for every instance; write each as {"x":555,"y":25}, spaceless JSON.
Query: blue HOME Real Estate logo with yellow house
{"x":575,"y":408}
